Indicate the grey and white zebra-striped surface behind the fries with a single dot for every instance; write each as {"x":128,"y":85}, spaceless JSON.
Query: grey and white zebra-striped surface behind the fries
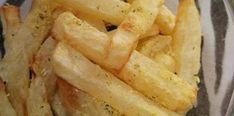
{"x":215,"y":97}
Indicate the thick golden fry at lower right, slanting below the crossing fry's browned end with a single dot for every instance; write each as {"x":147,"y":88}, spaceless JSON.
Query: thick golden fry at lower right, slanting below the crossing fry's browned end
{"x":157,"y":83}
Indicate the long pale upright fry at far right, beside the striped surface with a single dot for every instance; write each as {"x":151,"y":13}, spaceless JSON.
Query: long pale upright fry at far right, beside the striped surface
{"x":187,"y":41}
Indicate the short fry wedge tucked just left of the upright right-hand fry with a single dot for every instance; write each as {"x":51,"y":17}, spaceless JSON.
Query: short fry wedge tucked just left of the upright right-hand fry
{"x":158,"y":48}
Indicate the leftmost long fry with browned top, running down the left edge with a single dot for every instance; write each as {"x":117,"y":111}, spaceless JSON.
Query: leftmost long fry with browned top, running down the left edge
{"x":14,"y":66}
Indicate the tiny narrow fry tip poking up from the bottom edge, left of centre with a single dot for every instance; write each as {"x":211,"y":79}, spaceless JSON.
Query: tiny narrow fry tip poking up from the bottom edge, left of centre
{"x":57,"y":106}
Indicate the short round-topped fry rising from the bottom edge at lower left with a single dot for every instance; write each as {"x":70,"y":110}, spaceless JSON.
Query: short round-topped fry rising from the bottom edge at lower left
{"x":37,"y":104}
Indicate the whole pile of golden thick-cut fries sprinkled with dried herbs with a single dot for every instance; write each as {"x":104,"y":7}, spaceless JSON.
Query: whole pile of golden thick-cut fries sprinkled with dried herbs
{"x":63,"y":60}
